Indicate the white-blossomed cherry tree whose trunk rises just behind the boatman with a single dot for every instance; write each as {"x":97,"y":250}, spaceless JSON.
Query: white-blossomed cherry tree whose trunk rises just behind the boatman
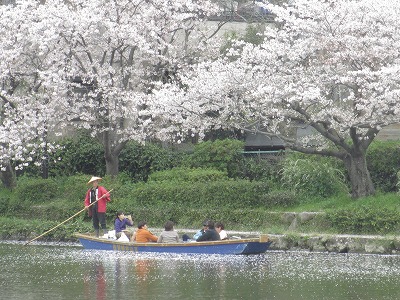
{"x":93,"y":64}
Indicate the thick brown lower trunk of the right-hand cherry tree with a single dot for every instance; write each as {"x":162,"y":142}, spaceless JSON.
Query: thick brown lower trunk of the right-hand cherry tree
{"x":360,"y":179}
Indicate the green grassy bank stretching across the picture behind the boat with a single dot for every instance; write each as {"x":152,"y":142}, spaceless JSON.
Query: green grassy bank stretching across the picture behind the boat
{"x":37,"y":206}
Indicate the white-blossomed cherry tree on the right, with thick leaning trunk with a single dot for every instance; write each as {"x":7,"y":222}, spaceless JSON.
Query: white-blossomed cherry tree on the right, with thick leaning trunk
{"x":330,"y":66}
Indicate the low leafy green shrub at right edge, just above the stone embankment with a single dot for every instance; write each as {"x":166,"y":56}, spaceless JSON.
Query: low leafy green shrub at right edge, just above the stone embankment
{"x":364,"y":220}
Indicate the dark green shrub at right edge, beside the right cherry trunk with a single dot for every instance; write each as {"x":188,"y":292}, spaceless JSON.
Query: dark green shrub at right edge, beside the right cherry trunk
{"x":383,"y":160}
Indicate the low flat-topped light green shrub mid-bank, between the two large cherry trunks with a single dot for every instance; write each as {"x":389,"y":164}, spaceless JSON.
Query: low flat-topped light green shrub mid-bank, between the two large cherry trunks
{"x":189,"y":175}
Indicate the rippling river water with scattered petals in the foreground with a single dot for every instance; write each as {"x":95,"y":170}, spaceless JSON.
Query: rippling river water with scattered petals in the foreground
{"x":66,"y":271}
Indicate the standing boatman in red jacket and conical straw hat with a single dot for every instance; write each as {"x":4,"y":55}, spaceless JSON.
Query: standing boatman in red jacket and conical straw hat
{"x":98,"y":210}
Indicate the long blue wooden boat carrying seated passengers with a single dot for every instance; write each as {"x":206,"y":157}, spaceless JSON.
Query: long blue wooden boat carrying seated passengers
{"x":232,"y":246}
